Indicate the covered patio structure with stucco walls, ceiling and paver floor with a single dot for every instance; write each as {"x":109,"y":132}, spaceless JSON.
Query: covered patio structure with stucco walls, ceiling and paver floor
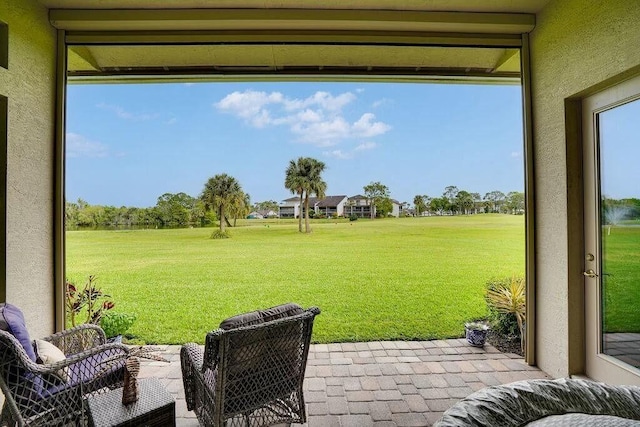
{"x":573,"y":56}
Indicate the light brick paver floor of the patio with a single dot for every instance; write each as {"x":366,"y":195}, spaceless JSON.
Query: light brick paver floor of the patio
{"x":389,"y":383}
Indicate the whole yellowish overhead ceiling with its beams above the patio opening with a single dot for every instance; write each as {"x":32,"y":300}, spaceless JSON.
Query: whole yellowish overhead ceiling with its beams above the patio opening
{"x":332,"y":37}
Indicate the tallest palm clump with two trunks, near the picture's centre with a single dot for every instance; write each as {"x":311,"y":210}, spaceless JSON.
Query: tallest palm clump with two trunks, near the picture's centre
{"x":303,"y":177}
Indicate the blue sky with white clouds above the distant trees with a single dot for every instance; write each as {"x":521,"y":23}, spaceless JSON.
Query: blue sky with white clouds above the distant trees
{"x":129,"y":144}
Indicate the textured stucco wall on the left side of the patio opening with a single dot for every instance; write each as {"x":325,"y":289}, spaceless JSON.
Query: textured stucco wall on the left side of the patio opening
{"x":29,"y":84}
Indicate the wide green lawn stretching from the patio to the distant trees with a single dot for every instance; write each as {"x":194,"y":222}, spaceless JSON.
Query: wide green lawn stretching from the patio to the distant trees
{"x":409,"y":278}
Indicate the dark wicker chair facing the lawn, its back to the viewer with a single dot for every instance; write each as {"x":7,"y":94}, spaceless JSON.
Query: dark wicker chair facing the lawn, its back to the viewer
{"x":251,"y":370}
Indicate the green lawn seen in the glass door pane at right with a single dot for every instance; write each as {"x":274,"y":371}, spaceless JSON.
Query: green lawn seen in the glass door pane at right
{"x":621,"y":266}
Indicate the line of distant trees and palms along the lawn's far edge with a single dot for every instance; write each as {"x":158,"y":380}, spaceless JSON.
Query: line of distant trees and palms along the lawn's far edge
{"x":223,"y":201}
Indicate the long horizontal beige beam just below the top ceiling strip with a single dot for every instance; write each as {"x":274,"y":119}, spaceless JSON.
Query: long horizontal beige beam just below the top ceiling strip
{"x":290,"y":19}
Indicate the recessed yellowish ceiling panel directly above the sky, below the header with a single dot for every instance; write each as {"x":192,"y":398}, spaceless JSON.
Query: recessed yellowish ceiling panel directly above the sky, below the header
{"x":321,"y":59}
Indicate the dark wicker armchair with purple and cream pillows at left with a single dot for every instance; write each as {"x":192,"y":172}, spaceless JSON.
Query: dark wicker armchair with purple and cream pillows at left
{"x":36,"y":395}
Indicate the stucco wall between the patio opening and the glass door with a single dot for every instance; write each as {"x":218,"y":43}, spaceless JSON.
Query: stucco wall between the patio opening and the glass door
{"x":576,"y":46}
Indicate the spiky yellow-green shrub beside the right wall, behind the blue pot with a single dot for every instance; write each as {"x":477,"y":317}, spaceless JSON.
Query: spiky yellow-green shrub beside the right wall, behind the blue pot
{"x":506,"y":302}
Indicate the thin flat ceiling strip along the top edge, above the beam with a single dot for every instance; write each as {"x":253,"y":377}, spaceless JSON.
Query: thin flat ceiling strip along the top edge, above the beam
{"x":494,"y":6}
